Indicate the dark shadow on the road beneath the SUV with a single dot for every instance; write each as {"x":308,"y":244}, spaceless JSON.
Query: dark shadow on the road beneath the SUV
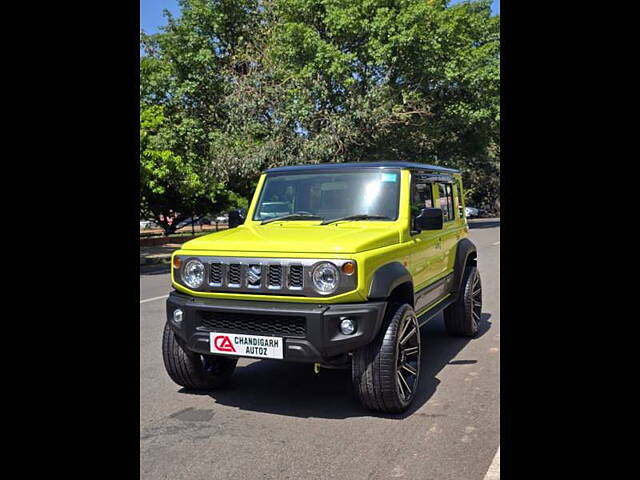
{"x":293,"y":389}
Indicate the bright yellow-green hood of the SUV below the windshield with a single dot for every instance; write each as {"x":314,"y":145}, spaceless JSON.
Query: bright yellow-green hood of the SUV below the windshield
{"x":292,"y":237}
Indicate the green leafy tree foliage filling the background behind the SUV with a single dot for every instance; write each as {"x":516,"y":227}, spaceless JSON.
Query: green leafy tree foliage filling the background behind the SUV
{"x":236,"y":86}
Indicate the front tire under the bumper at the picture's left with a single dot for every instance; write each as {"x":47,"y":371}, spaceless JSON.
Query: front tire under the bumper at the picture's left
{"x":193,"y":370}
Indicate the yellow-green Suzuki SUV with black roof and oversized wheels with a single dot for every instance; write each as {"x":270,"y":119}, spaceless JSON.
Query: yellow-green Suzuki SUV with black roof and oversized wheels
{"x":336,"y":264}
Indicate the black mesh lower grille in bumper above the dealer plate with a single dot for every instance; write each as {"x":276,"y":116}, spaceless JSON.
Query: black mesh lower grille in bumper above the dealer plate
{"x":247,"y":323}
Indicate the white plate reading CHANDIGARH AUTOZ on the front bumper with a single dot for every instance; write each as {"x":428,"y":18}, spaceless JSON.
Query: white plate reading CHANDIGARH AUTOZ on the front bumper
{"x":246,"y":345}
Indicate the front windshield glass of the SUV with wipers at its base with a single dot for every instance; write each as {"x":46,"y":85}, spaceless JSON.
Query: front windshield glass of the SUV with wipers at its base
{"x":326,"y":196}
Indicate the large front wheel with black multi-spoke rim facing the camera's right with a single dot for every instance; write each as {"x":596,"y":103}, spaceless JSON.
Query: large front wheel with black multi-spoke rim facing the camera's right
{"x":380,"y":376}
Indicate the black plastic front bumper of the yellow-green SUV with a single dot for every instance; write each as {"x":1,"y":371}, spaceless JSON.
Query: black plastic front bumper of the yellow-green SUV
{"x":318,"y":341}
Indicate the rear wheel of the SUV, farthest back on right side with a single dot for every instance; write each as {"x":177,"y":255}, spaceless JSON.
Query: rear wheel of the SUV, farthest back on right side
{"x":463,"y":317}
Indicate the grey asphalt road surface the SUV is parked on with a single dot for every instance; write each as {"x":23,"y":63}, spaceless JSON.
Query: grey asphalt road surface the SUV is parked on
{"x":282,"y":421}
